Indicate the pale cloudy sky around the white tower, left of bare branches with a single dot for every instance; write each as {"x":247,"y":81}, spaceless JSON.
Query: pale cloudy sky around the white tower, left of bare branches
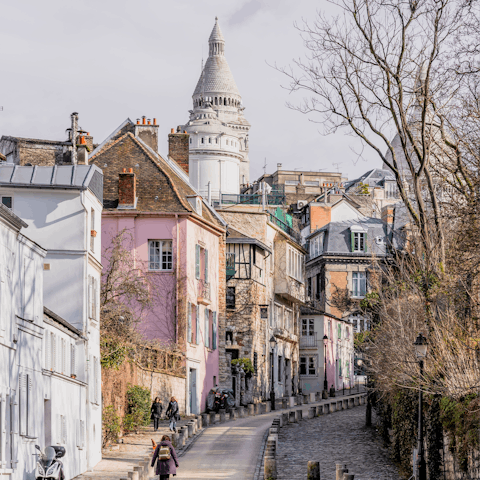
{"x":113,"y":59}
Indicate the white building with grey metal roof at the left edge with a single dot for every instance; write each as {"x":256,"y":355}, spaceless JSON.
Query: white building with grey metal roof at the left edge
{"x":62,"y":206}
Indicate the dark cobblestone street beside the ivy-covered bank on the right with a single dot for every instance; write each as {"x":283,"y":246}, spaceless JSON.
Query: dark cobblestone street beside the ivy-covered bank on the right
{"x":338,"y":437}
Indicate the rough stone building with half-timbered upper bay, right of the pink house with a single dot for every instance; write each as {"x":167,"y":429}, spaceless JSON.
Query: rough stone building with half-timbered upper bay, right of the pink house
{"x":265,"y":289}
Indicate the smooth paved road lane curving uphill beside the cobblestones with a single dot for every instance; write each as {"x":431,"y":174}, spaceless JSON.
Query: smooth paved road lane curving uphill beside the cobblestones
{"x":228,"y":451}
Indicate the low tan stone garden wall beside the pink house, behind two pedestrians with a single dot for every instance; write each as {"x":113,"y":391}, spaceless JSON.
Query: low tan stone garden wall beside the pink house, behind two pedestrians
{"x":115,"y":384}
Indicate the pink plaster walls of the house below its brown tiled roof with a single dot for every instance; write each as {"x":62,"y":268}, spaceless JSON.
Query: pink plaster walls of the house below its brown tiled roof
{"x":160,"y":322}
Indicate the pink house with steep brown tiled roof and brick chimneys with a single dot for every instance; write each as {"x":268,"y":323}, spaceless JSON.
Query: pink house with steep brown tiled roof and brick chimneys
{"x":178,"y":240}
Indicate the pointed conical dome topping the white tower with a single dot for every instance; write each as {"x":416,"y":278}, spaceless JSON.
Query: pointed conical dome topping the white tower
{"x":216,"y":76}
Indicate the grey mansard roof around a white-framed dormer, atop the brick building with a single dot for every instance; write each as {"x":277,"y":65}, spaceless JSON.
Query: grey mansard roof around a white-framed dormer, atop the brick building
{"x":337,"y":238}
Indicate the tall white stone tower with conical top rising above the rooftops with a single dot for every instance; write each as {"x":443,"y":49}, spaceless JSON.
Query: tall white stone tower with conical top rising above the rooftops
{"x":218,"y":130}
